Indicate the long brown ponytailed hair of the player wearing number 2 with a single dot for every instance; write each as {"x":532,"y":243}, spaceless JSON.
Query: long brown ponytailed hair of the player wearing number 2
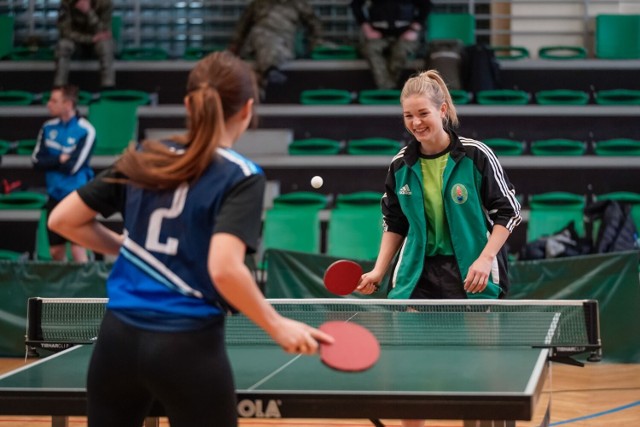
{"x":218,"y":87}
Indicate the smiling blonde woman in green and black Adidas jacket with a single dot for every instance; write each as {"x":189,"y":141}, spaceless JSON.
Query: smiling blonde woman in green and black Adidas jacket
{"x":448,"y":208}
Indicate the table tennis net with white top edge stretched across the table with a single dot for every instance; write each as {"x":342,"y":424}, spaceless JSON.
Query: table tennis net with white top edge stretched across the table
{"x":567,"y":324}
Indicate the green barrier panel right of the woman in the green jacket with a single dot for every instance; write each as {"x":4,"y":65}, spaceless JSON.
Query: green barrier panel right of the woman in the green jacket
{"x":612,"y":279}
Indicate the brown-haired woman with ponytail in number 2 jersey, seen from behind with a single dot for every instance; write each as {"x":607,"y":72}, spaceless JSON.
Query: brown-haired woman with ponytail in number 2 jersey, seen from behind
{"x":192,"y":210}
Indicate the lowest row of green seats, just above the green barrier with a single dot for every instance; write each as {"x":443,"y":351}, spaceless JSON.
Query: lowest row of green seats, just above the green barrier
{"x":354,"y":225}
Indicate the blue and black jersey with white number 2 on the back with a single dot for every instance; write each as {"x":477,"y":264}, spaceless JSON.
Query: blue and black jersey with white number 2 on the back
{"x":160,"y":280}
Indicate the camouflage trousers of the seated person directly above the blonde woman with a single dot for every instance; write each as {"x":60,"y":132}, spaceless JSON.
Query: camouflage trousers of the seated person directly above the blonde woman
{"x":387,"y":58}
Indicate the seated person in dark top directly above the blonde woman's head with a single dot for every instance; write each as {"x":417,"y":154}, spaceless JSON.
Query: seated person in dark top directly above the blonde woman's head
{"x":390,"y":35}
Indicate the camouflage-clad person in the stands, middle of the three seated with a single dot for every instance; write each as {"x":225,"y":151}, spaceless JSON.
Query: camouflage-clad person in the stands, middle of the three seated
{"x":267,"y":30}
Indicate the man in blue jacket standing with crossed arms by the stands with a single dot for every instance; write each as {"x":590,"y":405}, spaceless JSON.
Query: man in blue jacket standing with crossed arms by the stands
{"x":63,"y":151}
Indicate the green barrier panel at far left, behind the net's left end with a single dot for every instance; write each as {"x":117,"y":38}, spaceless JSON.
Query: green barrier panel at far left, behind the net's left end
{"x":22,"y":280}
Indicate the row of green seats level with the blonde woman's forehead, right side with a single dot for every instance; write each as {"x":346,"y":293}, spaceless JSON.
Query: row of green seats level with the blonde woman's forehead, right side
{"x":484,"y":97}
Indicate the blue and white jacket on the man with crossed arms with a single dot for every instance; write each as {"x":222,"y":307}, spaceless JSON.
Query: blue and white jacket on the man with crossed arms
{"x":76,"y":138}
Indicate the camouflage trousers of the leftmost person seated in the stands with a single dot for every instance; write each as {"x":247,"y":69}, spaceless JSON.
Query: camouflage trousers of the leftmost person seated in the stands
{"x":104,"y":50}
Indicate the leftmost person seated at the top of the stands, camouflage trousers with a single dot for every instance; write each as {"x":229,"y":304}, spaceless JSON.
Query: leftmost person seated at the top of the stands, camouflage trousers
{"x":85,"y":23}
